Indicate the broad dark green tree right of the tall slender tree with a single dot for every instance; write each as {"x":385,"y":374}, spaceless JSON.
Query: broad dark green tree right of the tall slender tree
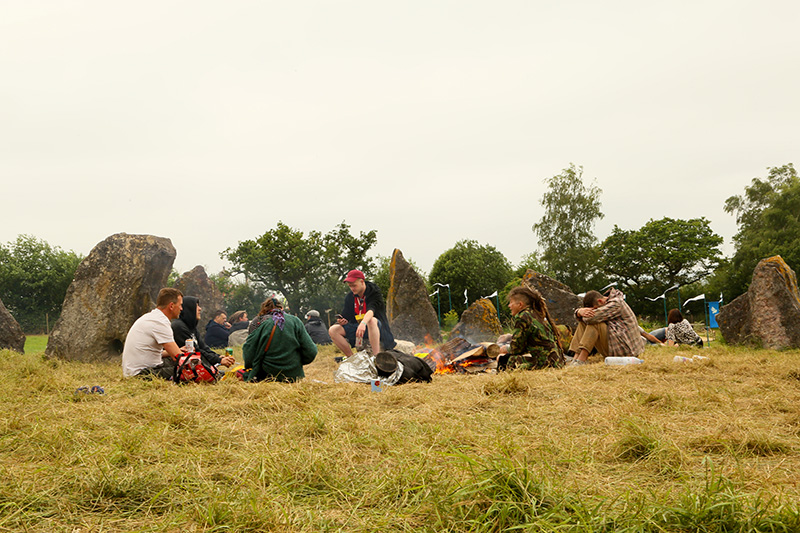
{"x":660,"y":254}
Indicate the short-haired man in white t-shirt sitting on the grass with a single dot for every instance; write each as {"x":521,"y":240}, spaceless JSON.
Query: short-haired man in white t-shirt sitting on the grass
{"x":150,"y":348}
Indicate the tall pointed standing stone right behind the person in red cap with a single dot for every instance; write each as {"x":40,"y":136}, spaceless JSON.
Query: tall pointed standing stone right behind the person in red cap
{"x":408,"y":306}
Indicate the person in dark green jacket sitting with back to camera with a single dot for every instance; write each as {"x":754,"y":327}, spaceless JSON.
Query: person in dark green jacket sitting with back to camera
{"x":282,"y":358}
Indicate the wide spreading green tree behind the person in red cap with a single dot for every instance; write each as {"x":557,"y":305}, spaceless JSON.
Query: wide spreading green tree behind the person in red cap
{"x":306,"y":269}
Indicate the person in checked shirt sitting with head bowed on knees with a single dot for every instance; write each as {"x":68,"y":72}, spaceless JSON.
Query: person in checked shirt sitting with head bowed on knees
{"x":608,"y":324}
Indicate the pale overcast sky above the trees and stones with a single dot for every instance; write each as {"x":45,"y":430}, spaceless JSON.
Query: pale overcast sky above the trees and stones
{"x":428,"y":121}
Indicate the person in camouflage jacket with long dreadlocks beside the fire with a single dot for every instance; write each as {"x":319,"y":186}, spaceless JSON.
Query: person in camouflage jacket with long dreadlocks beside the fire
{"x":533,"y":344}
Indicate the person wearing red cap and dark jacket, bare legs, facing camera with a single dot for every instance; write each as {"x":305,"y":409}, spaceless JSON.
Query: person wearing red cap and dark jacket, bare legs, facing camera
{"x":364,"y":313}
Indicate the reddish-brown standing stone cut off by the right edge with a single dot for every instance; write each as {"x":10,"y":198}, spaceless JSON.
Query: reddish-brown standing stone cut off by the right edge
{"x":768,"y":314}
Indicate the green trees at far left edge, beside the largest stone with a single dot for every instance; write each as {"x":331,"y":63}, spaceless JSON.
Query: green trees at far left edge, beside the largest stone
{"x":34,"y":278}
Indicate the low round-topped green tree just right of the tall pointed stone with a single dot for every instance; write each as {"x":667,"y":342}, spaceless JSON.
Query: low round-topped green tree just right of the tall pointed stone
{"x":480,"y":270}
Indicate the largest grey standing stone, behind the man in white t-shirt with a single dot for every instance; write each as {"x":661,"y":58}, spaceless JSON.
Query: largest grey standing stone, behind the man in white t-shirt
{"x":117,"y":283}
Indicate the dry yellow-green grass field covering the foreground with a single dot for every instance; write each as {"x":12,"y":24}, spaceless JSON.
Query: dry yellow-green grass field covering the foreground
{"x":663,"y":446}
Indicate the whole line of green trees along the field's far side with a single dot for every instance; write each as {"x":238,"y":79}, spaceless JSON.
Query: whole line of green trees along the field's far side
{"x":306,"y":269}
